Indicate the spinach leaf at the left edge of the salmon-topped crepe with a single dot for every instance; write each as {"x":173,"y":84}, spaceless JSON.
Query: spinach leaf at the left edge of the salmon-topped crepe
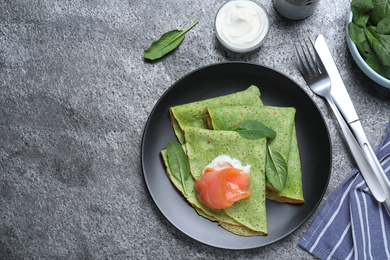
{"x":178,"y":163}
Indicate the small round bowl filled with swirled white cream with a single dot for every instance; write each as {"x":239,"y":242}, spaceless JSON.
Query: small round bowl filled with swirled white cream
{"x":242,"y":25}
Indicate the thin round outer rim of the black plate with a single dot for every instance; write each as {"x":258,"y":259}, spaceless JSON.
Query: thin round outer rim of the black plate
{"x":205,"y":67}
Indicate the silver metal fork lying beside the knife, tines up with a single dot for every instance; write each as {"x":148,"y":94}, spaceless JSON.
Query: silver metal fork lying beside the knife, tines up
{"x":317,"y":78}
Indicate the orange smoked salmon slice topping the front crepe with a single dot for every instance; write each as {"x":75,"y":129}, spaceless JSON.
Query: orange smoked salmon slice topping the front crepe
{"x":219,"y":189}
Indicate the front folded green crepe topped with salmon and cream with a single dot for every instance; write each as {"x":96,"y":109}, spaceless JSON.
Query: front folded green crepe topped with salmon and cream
{"x":246,"y":217}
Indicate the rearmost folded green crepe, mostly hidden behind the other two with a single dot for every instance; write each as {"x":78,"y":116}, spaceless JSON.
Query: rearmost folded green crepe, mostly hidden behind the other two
{"x":191,"y":114}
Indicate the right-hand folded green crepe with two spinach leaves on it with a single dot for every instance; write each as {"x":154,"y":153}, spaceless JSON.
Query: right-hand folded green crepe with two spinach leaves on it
{"x":282,"y":121}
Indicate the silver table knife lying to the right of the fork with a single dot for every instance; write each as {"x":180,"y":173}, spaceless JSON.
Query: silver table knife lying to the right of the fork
{"x":344,"y":103}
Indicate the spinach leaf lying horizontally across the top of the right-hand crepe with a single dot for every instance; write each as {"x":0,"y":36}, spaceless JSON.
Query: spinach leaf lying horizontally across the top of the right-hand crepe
{"x":252,"y":129}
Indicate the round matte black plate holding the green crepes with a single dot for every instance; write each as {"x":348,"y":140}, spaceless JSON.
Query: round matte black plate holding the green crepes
{"x":276,"y":90}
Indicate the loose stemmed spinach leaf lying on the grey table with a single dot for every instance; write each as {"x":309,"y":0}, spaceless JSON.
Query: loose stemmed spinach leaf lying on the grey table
{"x":167,"y":43}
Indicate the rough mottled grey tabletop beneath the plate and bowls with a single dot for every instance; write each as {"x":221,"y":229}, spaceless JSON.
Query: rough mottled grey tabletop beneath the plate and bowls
{"x":75,"y":95}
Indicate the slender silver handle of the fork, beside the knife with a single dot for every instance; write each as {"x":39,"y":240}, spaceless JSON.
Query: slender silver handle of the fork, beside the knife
{"x":361,"y":160}
